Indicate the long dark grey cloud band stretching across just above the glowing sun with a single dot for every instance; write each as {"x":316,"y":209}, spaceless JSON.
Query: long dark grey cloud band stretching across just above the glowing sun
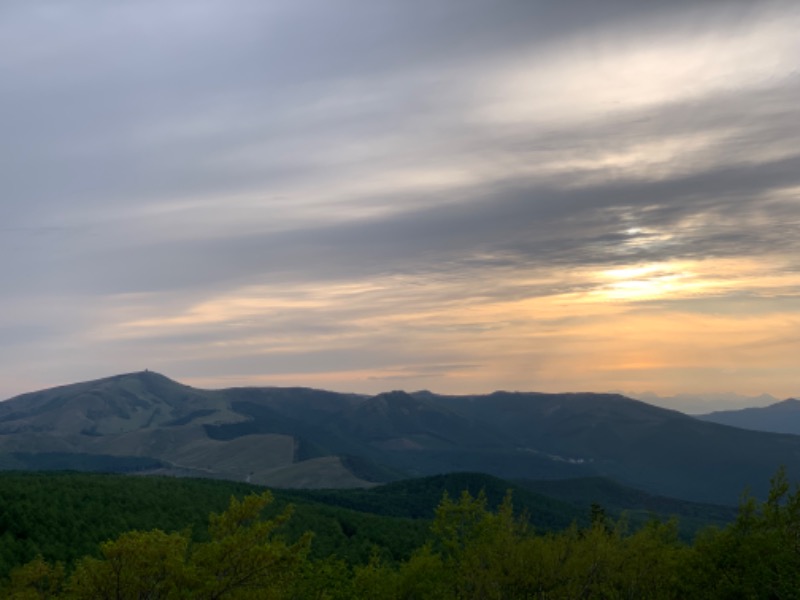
{"x":508,"y":224}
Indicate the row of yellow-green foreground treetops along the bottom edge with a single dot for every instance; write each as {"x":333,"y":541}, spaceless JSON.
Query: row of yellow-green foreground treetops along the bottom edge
{"x":472,"y":552}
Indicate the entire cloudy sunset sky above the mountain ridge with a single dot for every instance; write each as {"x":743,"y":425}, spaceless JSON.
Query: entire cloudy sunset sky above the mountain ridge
{"x":453,"y":195}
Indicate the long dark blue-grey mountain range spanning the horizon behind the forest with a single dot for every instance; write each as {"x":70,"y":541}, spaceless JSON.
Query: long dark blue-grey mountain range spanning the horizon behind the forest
{"x":306,"y":438}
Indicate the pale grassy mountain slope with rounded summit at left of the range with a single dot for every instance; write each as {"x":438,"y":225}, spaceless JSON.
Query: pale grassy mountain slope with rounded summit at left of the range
{"x":147,"y":422}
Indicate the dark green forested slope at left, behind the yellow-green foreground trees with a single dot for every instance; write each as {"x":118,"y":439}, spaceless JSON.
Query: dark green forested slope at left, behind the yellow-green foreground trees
{"x":65,"y":516}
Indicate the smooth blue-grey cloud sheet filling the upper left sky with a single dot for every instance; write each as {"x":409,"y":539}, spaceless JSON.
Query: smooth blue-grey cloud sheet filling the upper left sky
{"x":134,"y":103}
